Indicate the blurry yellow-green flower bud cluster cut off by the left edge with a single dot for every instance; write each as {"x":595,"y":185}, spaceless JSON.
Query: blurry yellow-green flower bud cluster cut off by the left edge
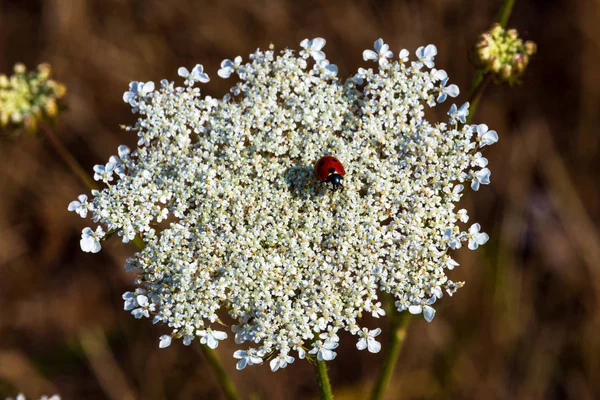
{"x":28,"y":98}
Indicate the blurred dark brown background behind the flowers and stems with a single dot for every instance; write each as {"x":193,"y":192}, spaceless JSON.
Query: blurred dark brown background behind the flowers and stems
{"x":524,"y":327}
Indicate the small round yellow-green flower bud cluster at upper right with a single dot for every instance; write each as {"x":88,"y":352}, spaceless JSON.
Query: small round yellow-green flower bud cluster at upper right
{"x":502,"y":53}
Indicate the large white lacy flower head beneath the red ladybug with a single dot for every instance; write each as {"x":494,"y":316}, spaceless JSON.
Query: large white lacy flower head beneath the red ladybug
{"x":234,"y":222}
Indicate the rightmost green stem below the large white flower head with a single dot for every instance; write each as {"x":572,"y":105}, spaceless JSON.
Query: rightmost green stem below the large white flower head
{"x":399,"y":327}
